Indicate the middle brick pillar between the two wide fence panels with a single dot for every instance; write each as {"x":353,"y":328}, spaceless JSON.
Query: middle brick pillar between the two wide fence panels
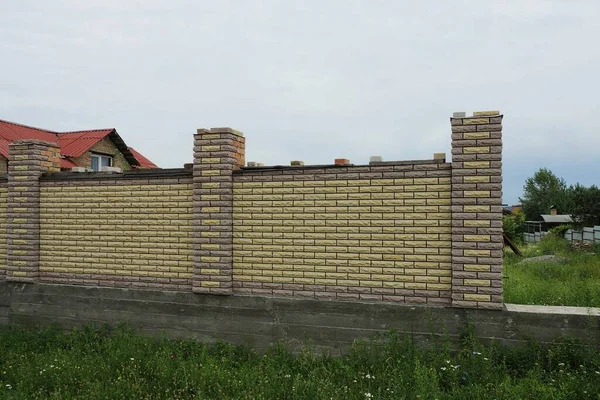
{"x":217,"y":152}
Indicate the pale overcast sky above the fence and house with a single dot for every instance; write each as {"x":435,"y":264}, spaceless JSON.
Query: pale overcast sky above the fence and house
{"x":312,"y":80}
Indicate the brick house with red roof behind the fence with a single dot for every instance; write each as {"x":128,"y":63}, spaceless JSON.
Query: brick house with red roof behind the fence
{"x":91,"y":149}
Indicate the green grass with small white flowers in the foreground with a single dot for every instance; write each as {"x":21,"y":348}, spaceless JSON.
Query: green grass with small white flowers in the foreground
{"x":119,"y":364}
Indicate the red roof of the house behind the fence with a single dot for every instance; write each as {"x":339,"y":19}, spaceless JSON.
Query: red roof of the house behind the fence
{"x":72,"y":144}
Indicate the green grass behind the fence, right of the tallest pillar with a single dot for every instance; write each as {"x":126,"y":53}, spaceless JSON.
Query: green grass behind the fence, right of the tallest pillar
{"x":575,"y":282}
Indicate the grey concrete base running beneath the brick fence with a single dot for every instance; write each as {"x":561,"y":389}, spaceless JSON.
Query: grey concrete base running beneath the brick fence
{"x":260,"y":321}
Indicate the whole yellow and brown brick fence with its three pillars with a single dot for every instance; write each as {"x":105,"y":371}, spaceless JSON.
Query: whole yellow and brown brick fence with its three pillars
{"x":424,"y":231}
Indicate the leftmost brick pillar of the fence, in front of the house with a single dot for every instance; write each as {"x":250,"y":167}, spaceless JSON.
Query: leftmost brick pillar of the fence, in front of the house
{"x":27,"y":161}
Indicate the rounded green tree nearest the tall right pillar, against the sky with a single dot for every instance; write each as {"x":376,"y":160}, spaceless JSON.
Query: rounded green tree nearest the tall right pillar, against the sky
{"x":542,"y":191}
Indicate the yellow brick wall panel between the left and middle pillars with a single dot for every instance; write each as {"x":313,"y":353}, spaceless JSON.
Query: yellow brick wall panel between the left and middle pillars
{"x":117,"y":232}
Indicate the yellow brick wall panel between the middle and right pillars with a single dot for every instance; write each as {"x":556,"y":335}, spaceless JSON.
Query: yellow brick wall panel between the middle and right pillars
{"x":387,"y":239}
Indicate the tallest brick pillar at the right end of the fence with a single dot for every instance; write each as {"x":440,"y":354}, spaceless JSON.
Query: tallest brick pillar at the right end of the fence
{"x":477,"y":241}
